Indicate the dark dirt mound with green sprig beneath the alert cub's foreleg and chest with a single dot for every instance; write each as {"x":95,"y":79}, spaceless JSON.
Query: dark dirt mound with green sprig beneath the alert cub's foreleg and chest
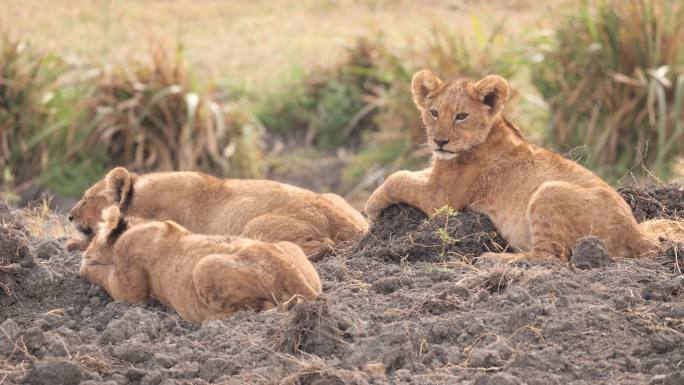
{"x":404,"y":234}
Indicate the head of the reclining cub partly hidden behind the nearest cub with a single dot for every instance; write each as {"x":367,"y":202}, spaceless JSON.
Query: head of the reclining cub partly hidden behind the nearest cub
{"x":114,"y":189}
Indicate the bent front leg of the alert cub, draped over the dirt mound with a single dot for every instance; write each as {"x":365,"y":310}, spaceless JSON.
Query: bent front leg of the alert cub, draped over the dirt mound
{"x":413,"y":188}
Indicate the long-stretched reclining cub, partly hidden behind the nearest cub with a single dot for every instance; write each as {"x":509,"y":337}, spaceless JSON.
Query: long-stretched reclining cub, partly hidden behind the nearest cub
{"x":259,"y":209}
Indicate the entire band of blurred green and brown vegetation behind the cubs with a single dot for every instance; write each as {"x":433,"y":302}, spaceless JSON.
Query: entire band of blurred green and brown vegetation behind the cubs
{"x":610,"y":74}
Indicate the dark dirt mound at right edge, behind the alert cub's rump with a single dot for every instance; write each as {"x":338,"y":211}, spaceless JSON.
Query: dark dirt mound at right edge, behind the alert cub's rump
{"x":654,"y":202}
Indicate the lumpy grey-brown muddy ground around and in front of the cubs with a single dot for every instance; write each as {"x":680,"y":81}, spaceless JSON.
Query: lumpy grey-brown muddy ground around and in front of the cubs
{"x":408,"y":304}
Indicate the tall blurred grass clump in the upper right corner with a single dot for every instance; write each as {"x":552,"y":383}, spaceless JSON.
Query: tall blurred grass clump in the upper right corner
{"x":613,"y":76}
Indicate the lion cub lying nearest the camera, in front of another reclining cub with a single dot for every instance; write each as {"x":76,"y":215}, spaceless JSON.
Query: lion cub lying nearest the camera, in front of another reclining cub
{"x":202,"y":277}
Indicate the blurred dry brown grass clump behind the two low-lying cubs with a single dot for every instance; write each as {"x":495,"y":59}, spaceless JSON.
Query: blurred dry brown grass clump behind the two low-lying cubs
{"x":149,"y":117}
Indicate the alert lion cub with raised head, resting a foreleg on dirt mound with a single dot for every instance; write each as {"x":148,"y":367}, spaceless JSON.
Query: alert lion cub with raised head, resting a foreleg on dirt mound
{"x":539,"y":201}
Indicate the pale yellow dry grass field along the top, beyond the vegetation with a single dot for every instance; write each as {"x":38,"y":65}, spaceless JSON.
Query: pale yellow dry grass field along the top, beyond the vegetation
{"x":251,"y":41}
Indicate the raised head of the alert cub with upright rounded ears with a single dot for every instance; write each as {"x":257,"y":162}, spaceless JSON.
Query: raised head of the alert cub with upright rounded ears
{"x":458,"y":114}
